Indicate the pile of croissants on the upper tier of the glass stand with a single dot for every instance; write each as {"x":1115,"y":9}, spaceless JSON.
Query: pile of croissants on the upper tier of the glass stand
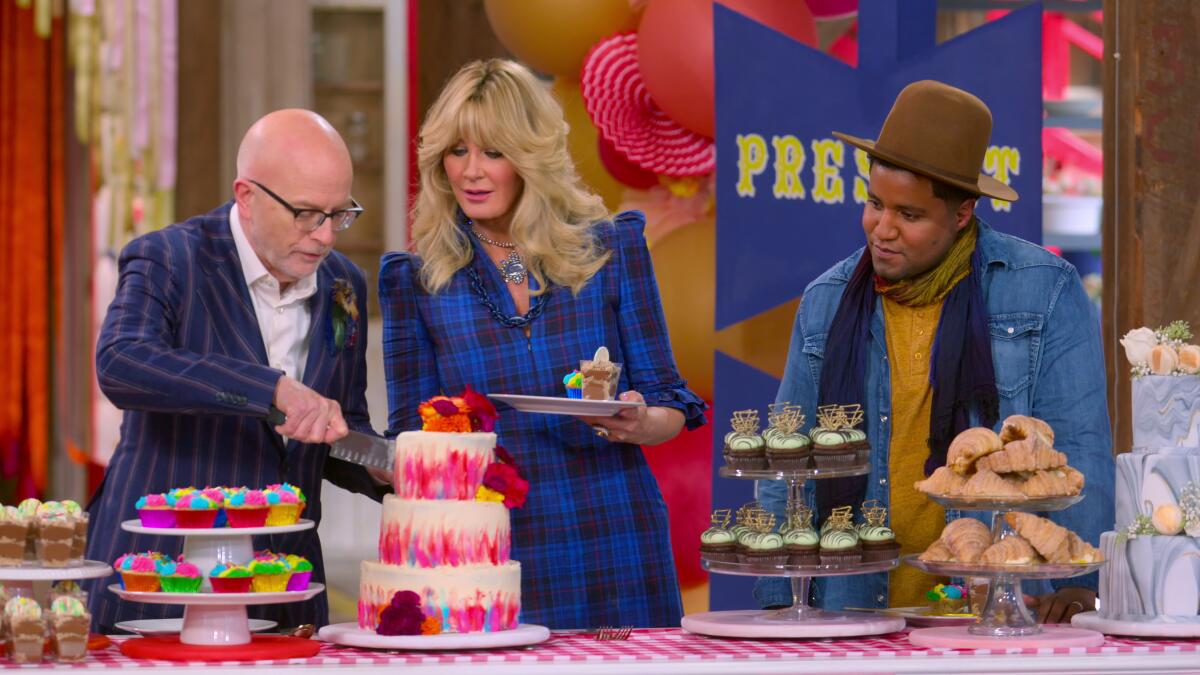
{"x":1015,"y":465}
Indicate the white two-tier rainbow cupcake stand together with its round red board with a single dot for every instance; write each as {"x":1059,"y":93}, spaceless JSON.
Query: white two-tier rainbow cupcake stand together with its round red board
{"x":218,"y":620}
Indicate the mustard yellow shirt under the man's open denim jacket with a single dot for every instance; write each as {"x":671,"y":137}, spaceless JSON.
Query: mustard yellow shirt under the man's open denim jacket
{"x":916,"y":519}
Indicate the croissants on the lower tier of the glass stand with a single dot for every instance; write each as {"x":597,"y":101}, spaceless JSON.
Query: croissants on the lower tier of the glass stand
{"x":1034,"y":540}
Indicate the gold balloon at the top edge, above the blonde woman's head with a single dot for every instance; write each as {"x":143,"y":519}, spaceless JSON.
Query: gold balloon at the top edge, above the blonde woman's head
{"x":554,"y":37}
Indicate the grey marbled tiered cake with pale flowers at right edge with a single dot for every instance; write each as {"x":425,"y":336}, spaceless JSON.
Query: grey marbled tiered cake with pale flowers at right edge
{"x":1154,"y":571}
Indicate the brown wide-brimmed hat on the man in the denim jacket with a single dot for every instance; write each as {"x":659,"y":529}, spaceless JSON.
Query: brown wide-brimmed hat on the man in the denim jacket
{"x":941,"y":133}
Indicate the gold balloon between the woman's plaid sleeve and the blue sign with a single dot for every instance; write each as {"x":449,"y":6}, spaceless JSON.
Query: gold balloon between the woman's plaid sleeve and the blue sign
{"x":686,"y":267}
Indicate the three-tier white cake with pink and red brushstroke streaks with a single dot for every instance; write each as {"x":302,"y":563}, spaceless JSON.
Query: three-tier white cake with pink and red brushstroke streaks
{"x":445,"y":535}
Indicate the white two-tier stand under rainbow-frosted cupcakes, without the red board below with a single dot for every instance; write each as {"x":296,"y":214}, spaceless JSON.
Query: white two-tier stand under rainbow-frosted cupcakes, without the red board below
{"x":217,"y":619}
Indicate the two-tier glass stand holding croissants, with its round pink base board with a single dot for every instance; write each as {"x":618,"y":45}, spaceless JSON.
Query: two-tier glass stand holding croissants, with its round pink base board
{"x":1005,"y":622}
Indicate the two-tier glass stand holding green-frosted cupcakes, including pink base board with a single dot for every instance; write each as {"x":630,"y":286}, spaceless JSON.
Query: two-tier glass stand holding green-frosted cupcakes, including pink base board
{"x":801,"y":620}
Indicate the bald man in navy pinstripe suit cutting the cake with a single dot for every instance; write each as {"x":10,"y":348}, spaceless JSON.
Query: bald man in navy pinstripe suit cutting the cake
{"x":219,"y":319}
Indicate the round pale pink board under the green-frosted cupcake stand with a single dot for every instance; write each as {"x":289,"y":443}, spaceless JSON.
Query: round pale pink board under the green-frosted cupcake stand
{"x":758,"y":624}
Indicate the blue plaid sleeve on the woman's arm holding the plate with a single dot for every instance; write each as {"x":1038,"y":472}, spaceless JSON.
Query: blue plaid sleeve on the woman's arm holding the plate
{"x":650,"y":362}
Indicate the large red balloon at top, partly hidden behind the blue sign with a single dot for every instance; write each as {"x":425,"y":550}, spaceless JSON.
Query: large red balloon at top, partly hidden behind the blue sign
{"x":675,"y":51}
